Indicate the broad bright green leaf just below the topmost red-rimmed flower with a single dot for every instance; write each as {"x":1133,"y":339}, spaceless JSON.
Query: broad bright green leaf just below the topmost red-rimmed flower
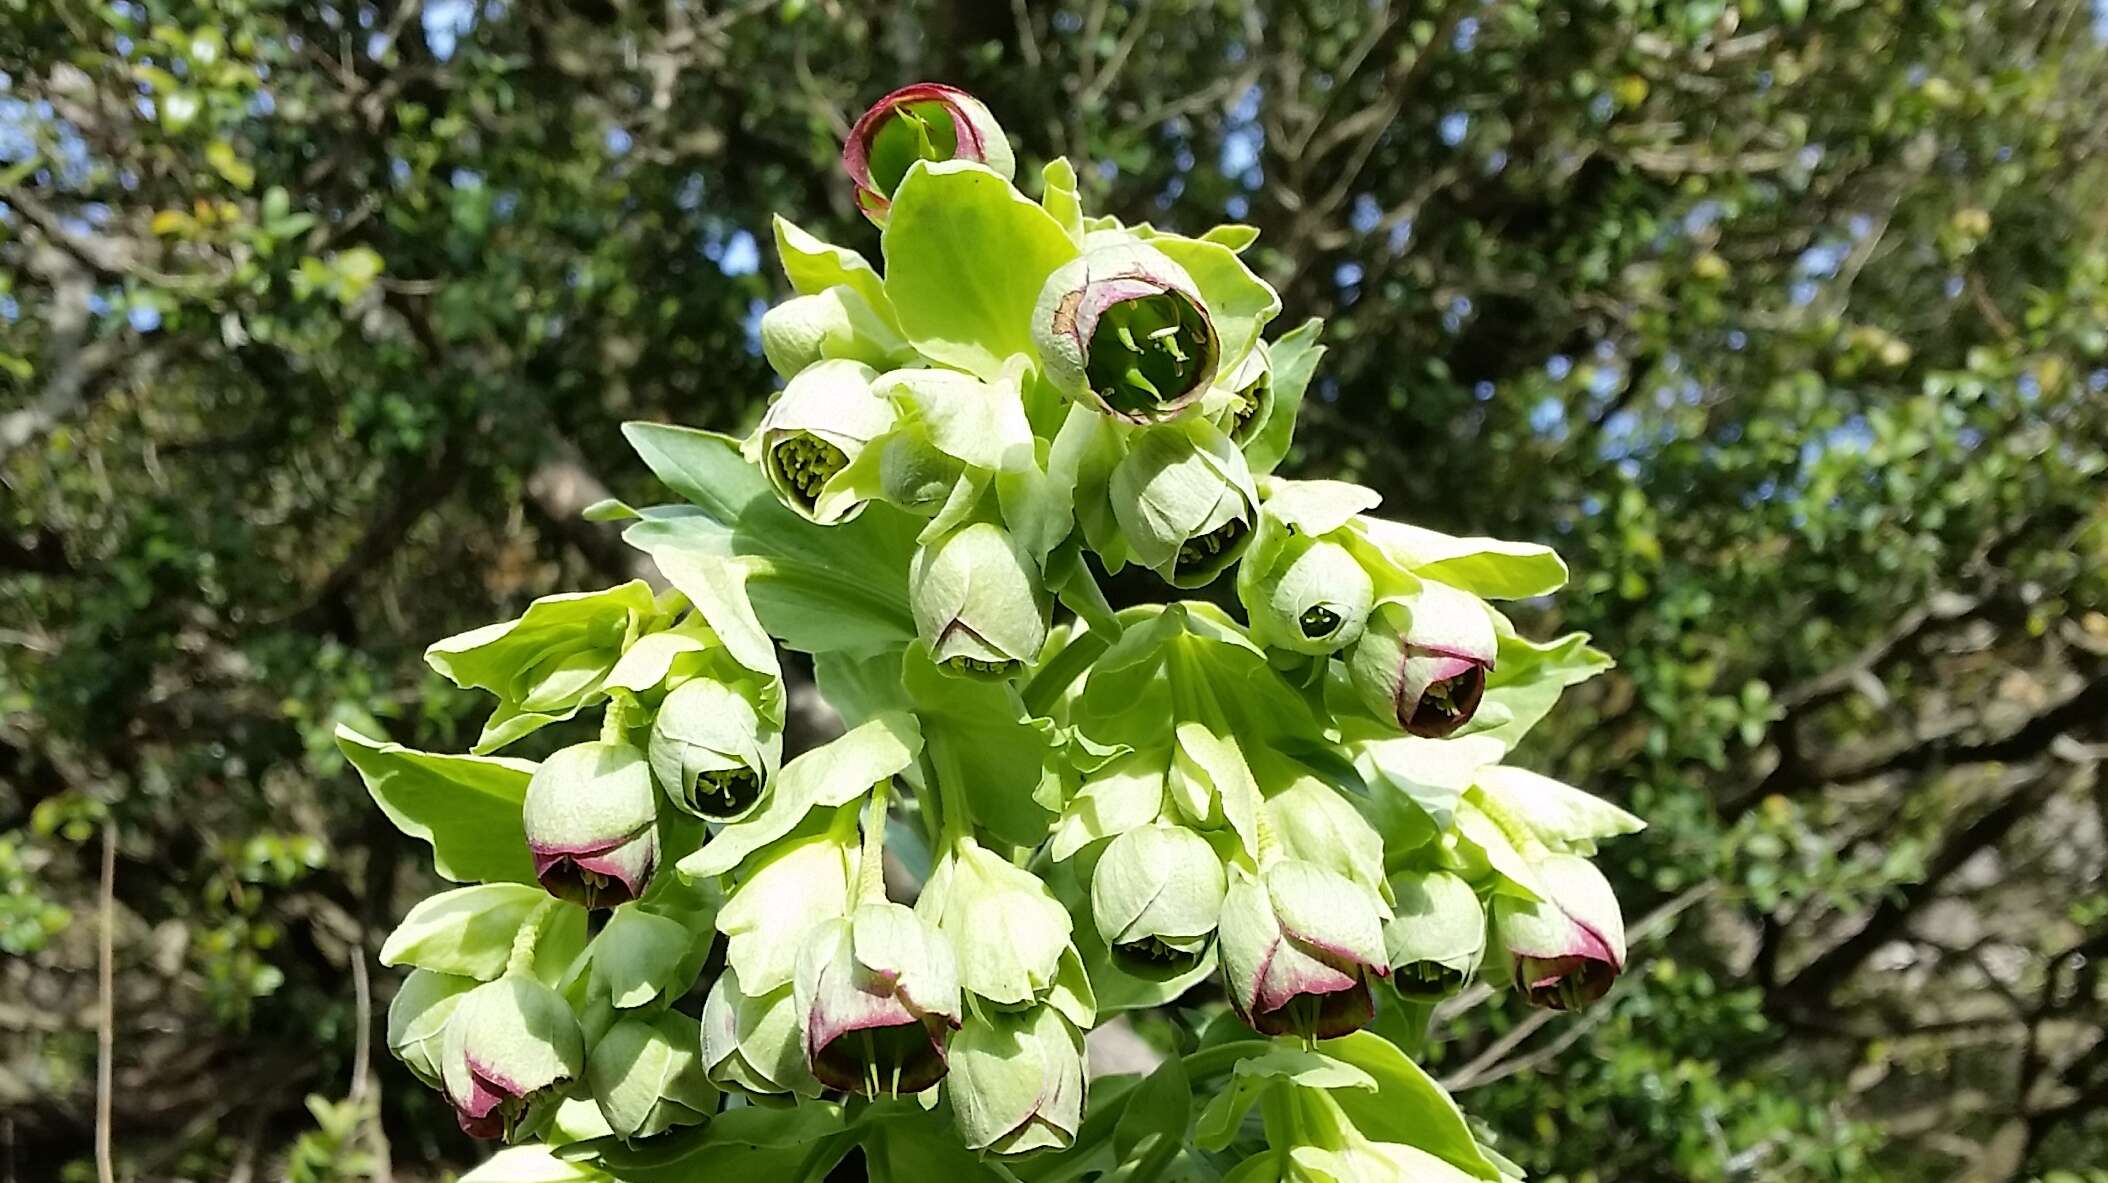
{"x":967,"y":256}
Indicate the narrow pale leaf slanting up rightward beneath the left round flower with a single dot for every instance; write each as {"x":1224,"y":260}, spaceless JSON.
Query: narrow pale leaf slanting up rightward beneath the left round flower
{"x":829,"y":775}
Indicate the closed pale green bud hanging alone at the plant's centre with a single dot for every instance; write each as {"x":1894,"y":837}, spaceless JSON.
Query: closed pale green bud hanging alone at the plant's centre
{"x":979,"y":602}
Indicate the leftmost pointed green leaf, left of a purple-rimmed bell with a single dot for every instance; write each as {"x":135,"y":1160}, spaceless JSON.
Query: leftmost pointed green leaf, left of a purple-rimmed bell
{"x":467,"y":807}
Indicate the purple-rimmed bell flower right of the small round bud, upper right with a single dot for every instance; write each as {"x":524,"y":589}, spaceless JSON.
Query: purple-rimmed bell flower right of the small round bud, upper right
{"x":1424,"y":661}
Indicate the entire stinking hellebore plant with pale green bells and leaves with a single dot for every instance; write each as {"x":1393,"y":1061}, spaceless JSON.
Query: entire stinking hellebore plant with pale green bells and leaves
{"x":676,"y":954}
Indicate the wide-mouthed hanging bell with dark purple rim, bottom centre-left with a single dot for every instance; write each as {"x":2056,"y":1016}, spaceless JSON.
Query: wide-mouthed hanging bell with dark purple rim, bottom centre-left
{"x":878,"y":996}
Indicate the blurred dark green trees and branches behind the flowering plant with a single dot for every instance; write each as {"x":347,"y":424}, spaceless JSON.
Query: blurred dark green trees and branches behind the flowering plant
{"x":1787,"y":324}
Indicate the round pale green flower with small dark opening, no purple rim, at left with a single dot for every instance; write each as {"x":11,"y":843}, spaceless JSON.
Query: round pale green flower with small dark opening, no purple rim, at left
{"x":714,"y":752}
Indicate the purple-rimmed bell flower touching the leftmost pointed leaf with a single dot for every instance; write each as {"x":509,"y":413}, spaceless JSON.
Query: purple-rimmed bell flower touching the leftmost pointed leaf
{"x":591,"y":826}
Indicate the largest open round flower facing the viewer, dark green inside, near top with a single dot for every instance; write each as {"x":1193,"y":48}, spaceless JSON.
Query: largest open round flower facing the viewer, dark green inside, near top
{"x":1125,"y":332}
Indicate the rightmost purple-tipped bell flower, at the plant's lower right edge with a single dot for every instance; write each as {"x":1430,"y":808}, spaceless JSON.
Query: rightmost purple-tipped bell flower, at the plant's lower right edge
{"x":1567,"y":948}
